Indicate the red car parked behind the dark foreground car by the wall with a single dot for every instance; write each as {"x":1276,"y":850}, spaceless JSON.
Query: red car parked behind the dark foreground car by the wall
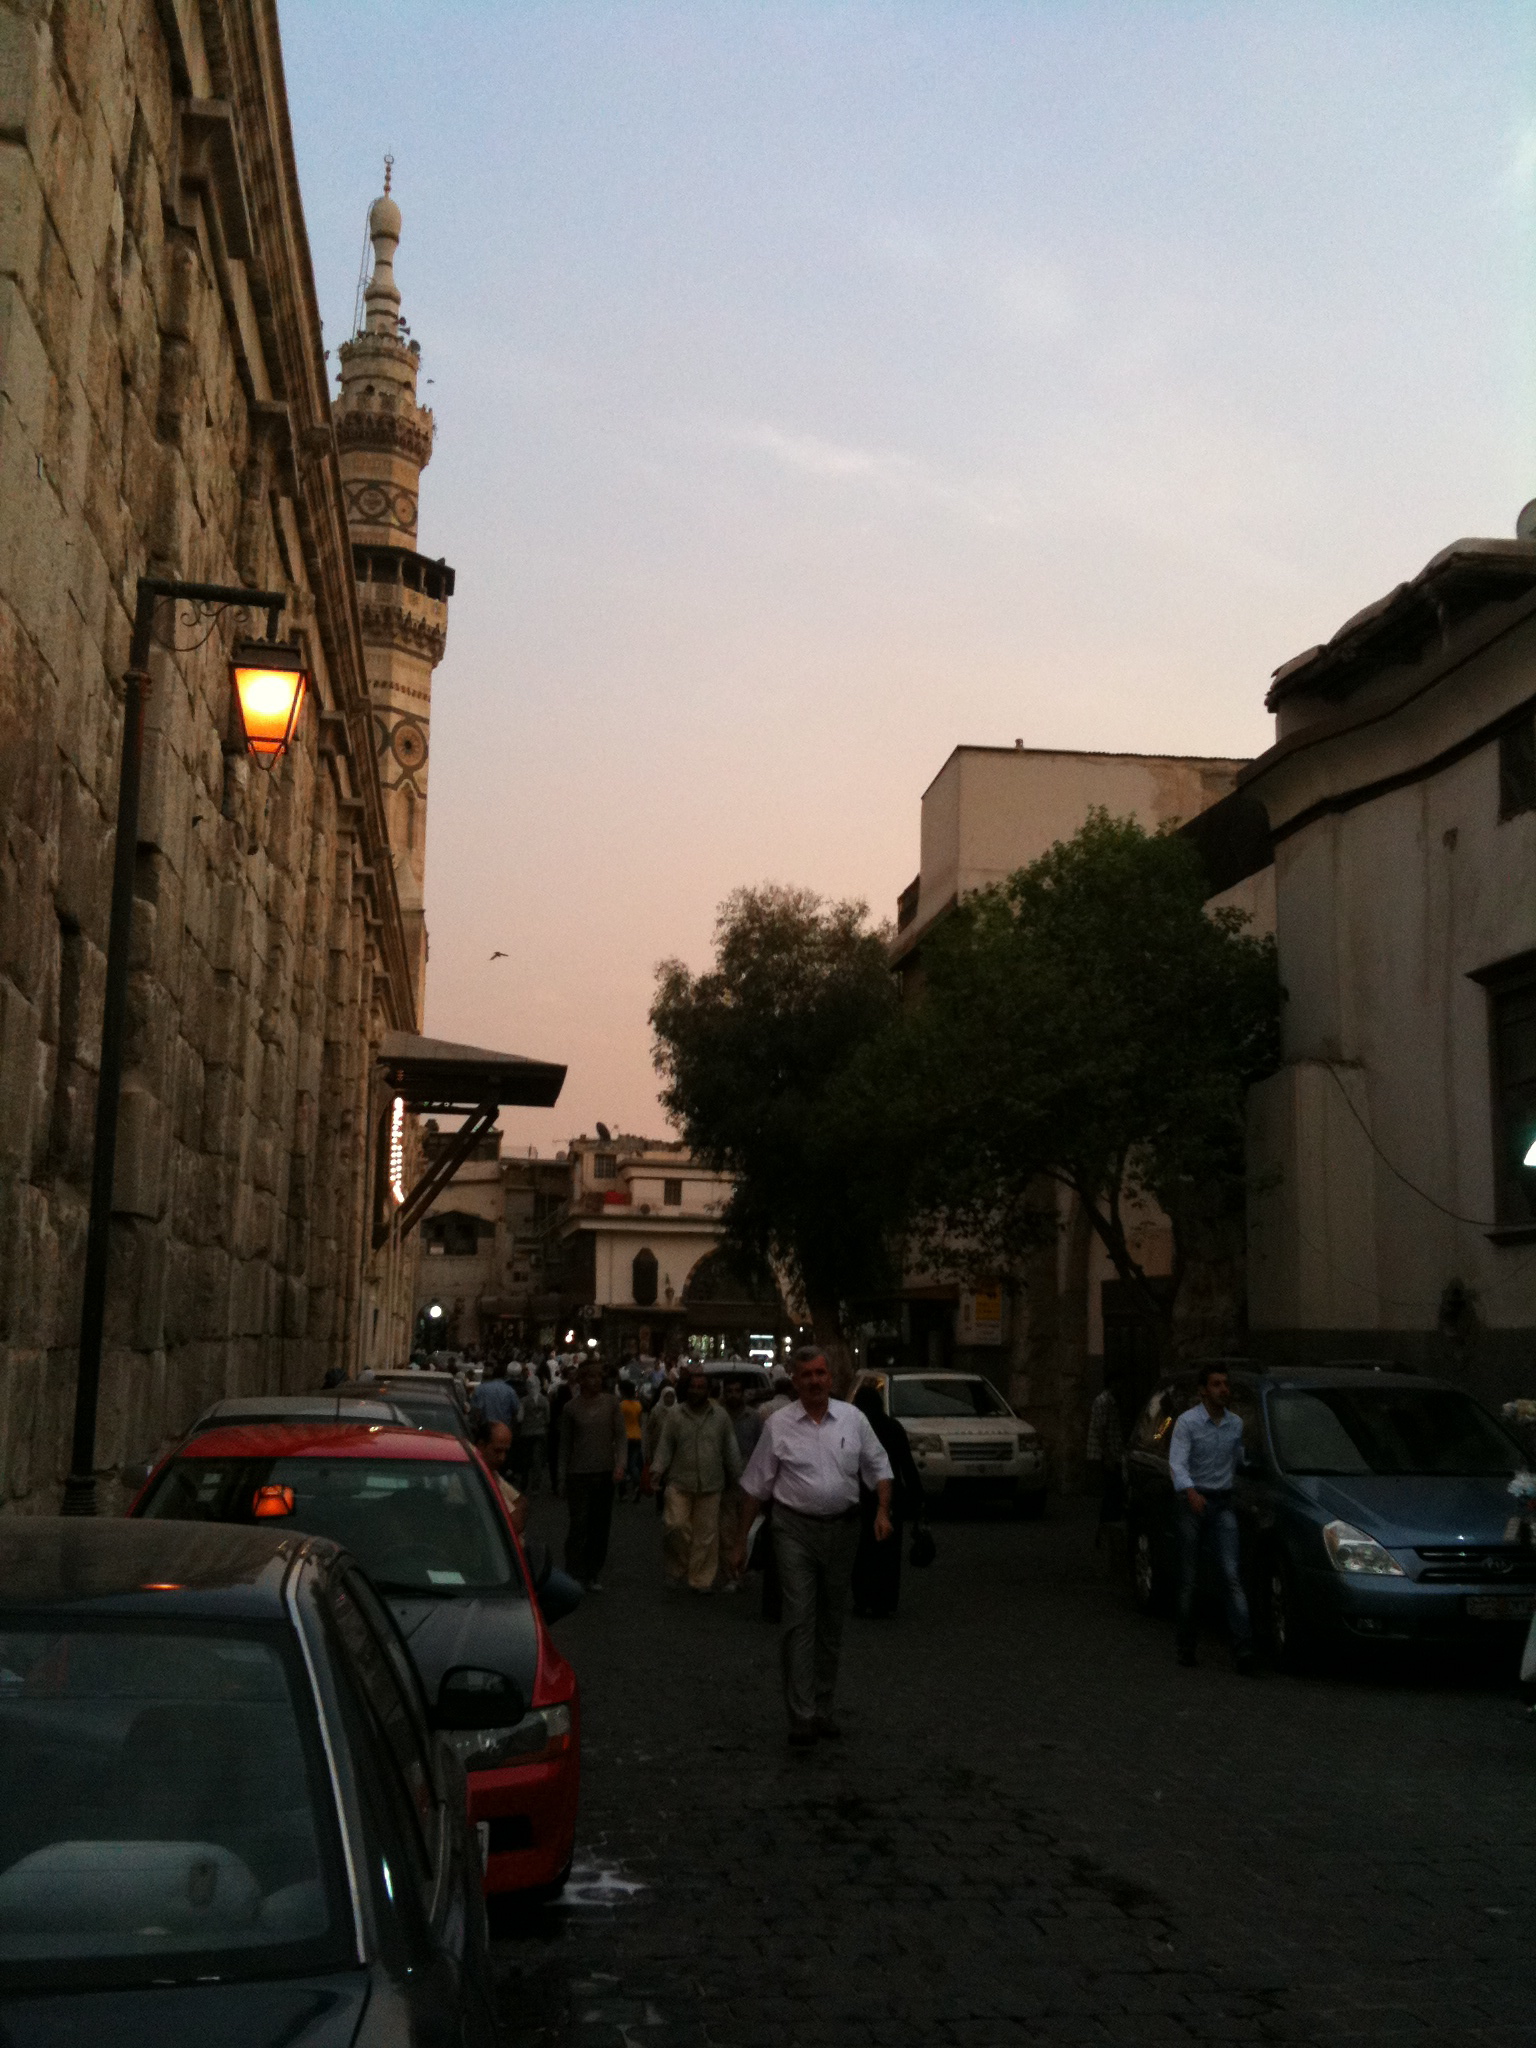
{"x":425,"y":1519}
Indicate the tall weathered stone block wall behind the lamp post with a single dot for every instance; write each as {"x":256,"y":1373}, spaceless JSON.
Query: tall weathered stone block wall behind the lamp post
{"x":163,"y":411}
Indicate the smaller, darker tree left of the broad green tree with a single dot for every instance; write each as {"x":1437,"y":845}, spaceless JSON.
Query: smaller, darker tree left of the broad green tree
{"x":757,"y":1058}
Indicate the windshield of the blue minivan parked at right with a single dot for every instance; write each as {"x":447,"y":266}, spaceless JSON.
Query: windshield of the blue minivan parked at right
{"x":1340,"y":1433}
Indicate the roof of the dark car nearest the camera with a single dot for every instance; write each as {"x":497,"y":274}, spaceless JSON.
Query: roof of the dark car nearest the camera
{"x":175,"y":1570}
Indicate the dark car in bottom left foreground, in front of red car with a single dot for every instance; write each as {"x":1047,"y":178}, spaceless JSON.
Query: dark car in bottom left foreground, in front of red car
{"x":226,"y":1809}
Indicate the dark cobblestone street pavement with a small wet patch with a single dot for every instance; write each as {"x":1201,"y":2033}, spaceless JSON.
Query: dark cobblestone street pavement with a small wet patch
{"x":1037,"y":1830}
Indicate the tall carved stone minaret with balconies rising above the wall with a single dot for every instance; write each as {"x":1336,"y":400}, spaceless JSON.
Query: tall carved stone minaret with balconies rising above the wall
{"x":386,"y":443}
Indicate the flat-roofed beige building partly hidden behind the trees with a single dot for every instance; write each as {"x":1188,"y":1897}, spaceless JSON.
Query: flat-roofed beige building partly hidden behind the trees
{"x":1048,"y":1334}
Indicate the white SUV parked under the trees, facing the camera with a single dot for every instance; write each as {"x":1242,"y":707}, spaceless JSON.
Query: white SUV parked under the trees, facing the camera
{"x":966,"y":1439}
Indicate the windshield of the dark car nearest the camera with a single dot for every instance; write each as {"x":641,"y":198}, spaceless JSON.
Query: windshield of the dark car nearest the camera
{"x":163,"y":1818}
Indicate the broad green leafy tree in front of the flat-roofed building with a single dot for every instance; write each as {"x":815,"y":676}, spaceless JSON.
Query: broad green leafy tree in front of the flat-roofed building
{"x":1086,"y":1025}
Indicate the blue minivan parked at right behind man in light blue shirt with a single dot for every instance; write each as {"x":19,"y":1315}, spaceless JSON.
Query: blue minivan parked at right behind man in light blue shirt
{"x":1375,"y":1510}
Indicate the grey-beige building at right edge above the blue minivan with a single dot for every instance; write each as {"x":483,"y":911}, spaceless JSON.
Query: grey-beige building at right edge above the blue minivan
{"x":1392,"y":1213}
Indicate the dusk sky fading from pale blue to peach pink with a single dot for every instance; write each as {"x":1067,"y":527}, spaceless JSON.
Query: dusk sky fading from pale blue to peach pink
{"x":820,"y":388}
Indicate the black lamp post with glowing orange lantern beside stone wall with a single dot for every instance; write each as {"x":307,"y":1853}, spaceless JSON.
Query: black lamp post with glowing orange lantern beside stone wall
{"x":261,"y":660}
